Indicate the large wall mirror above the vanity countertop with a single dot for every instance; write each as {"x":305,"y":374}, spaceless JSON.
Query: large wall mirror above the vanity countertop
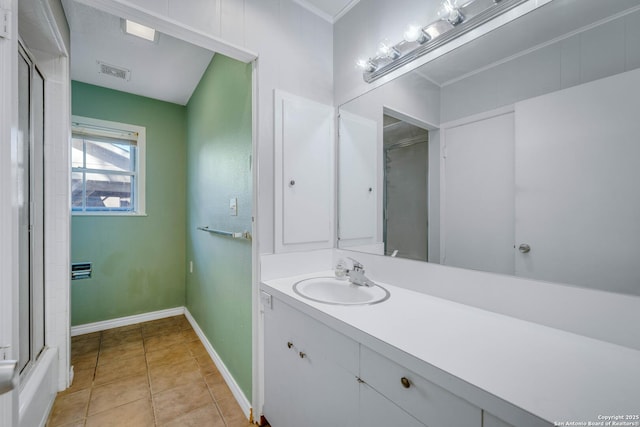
{"x":516,"y":153}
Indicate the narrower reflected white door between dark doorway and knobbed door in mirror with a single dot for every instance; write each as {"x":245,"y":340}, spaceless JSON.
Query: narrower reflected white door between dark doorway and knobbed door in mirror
{"x":478,"y":195}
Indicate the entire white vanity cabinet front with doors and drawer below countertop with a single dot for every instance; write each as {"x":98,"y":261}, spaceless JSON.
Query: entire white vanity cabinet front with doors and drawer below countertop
{"x":315,"y":376}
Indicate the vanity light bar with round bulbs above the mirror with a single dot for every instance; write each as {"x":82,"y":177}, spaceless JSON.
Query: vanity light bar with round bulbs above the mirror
{"x":456,"y":17}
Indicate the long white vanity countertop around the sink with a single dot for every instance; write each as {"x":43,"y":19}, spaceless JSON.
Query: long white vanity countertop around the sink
{"x":555,"y":375}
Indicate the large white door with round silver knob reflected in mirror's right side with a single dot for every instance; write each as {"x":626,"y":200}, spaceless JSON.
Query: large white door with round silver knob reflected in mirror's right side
{"x":580,"y":219}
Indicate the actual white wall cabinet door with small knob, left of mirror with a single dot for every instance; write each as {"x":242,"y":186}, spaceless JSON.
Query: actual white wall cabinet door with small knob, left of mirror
{"x":304,"y":147}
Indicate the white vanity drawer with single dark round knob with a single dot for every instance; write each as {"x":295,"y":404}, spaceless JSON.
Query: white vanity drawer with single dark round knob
{"x":429,"y":403}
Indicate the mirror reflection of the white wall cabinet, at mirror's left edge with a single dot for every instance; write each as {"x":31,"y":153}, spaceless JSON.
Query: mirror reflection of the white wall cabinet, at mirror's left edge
{"x":357,"y":197}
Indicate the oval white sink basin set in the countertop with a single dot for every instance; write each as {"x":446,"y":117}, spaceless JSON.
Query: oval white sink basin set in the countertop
{"x":330,"y":290}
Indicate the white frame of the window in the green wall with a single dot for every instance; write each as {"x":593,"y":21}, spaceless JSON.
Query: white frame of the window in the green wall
{"x":139,"y":185}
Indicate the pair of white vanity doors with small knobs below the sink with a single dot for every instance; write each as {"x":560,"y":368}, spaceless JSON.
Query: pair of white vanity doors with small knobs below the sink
{"x":310,"y":371}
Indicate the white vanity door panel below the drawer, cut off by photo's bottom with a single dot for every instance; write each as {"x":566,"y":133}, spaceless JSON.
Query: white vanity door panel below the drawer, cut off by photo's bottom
{"x":377,"y":410}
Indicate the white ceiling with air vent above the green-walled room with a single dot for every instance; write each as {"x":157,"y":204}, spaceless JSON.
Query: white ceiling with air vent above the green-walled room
{"x":168,"y":70}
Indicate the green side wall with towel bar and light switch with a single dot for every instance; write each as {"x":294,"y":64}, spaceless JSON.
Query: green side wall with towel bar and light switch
{"x":219,"y":159}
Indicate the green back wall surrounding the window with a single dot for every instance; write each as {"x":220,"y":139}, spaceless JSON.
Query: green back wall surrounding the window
{"x":138,"y":262}
